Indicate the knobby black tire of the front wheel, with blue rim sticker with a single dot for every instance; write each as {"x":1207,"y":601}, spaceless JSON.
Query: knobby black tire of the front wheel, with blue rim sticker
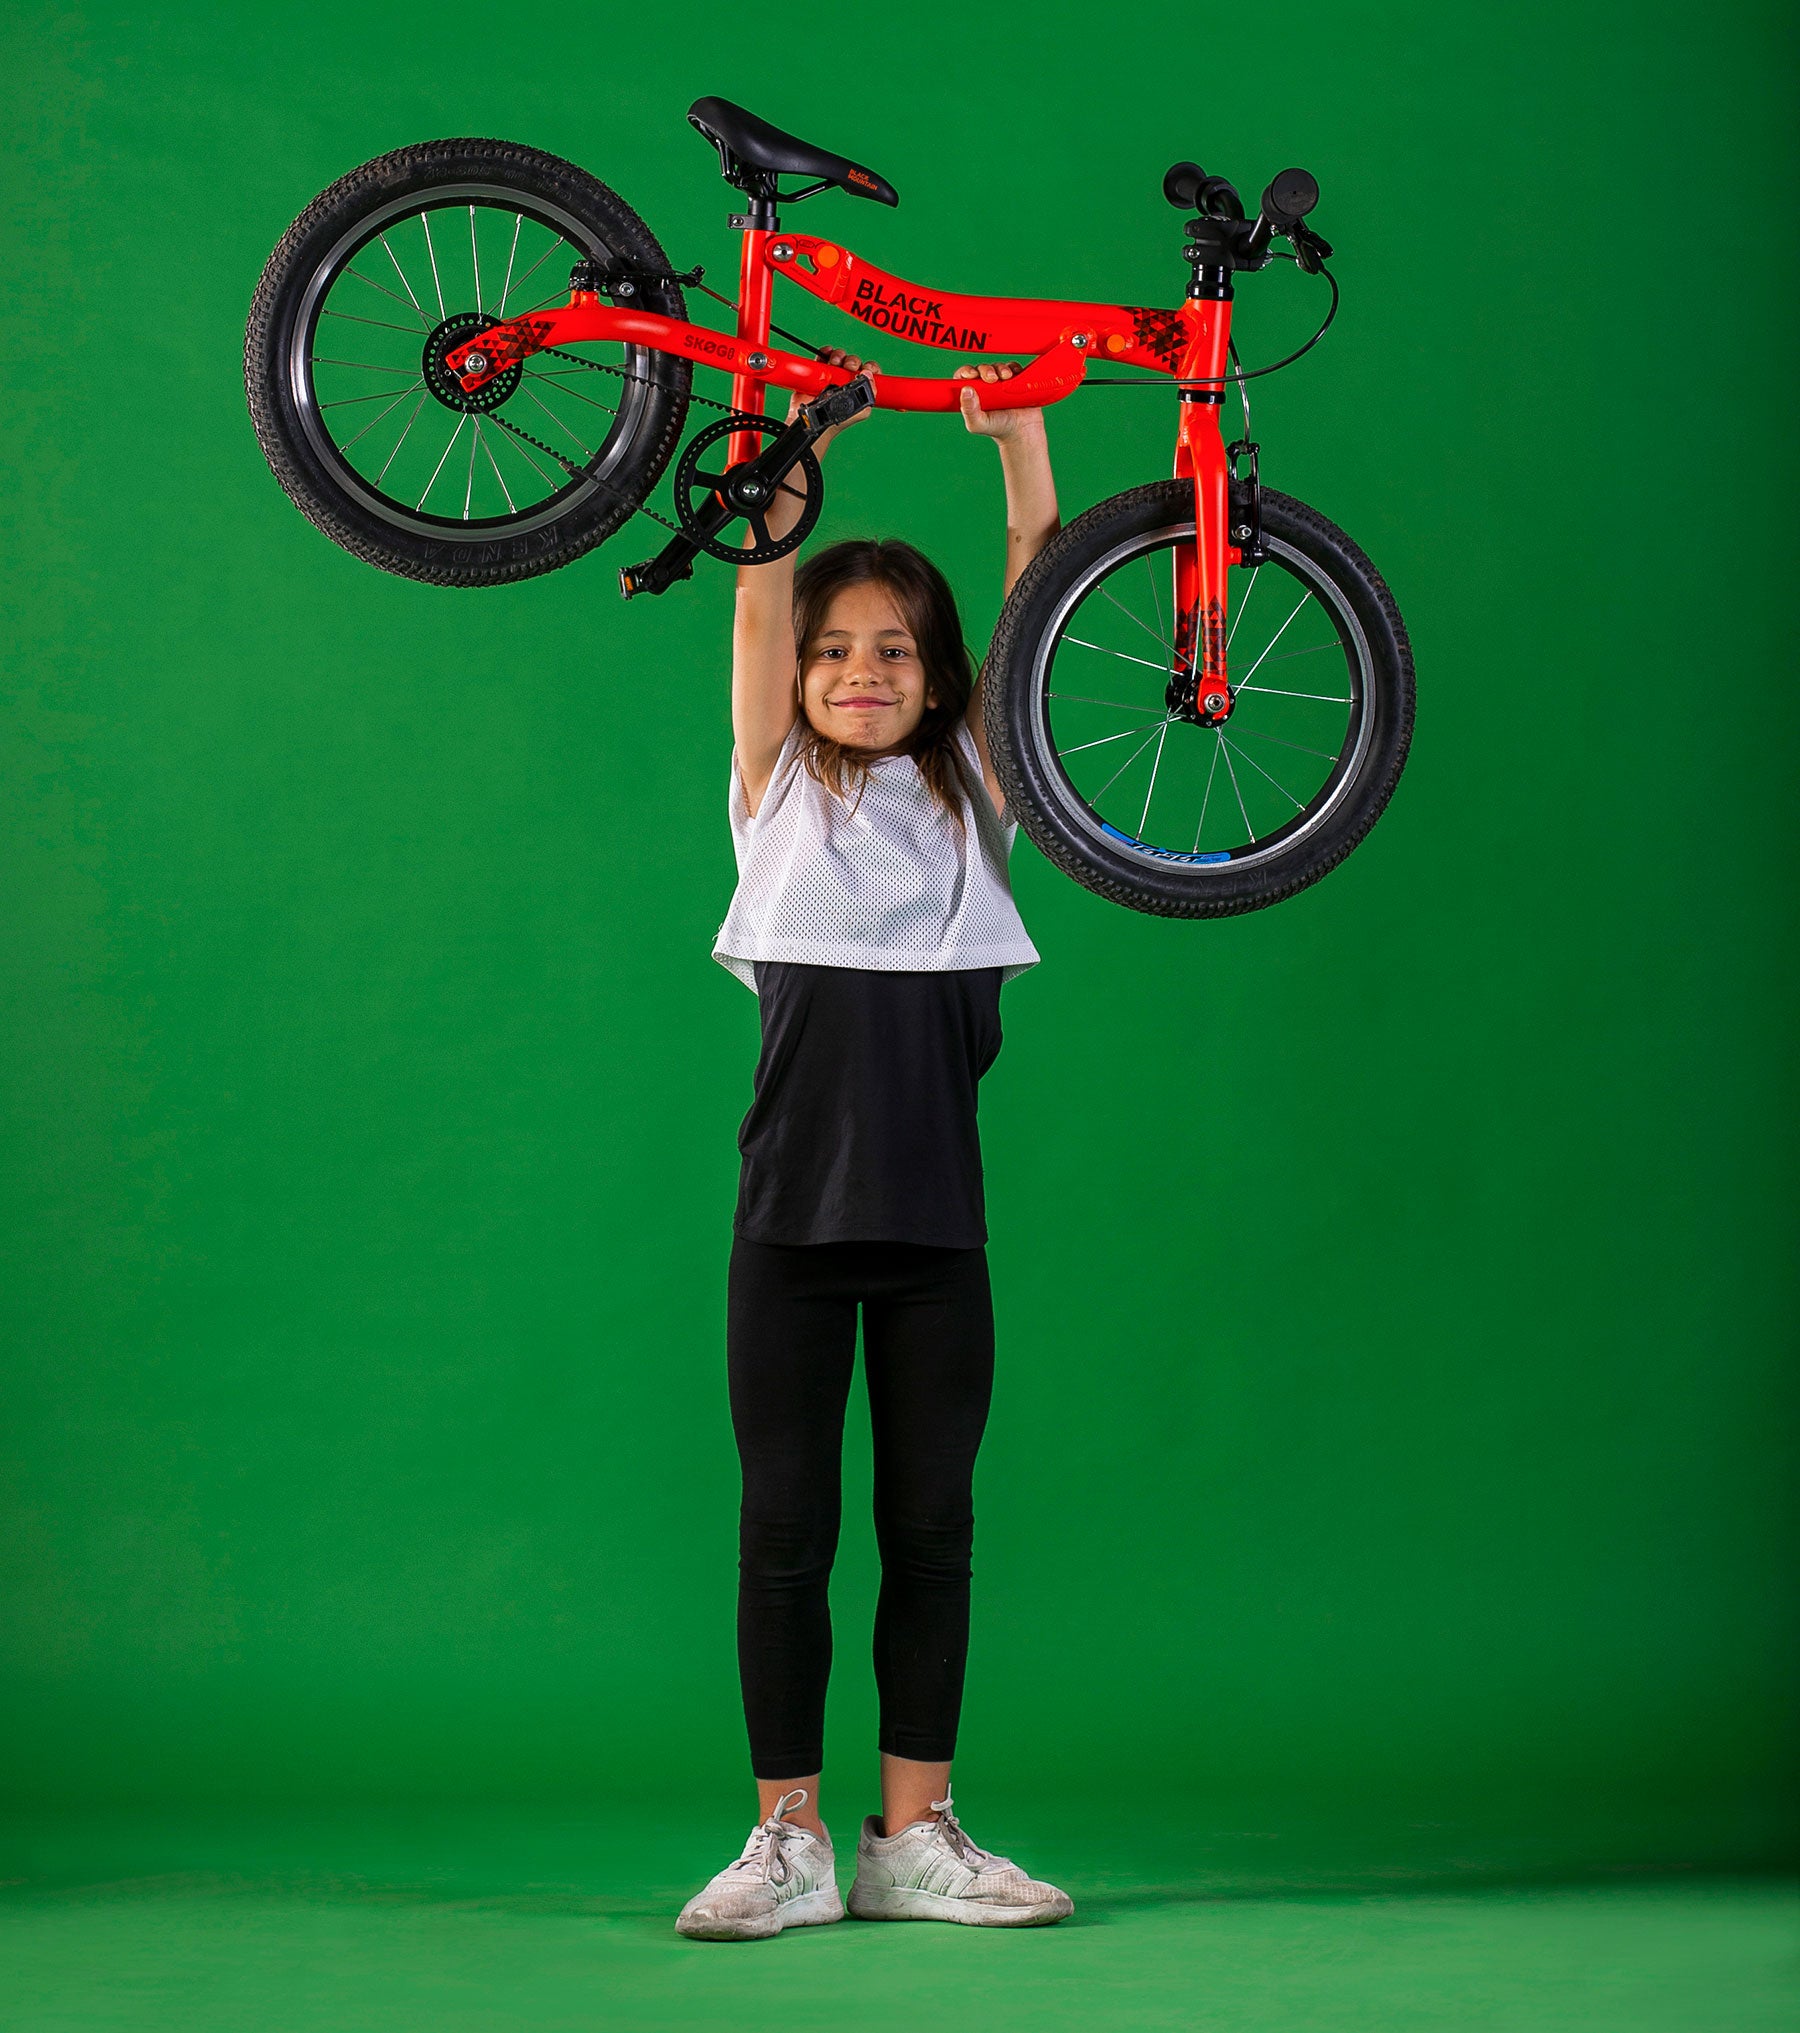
{"x":1042,"y":796}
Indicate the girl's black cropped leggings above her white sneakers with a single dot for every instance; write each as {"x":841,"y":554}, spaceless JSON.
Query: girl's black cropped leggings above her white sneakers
{"x":928,"y":1351}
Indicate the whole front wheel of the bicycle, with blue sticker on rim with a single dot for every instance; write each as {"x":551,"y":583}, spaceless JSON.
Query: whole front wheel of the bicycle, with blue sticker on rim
{"x":1146,"y":804}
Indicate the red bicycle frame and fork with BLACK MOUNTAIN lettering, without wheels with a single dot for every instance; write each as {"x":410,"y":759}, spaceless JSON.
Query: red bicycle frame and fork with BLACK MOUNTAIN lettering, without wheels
{"x":1061,"y":338}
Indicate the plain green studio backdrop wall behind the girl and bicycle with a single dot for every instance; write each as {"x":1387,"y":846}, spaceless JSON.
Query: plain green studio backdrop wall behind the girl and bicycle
{"x":1392,"y":1284}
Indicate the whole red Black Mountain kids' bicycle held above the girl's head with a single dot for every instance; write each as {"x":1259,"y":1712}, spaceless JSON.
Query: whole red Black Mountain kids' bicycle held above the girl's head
{"x":469,"y":363}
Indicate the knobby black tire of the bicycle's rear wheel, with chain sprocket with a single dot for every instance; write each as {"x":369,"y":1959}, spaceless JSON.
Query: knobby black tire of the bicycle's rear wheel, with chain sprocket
{"x":575,"y":519}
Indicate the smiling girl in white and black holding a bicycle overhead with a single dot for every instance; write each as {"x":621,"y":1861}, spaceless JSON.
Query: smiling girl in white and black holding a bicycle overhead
{"x":876,"y":924}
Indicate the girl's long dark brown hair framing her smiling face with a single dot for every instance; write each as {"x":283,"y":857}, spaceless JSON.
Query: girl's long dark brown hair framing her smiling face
{"x":928,"y":609}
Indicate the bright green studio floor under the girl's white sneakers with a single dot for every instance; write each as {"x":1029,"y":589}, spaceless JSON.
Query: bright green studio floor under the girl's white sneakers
{"x":389,"y":1924}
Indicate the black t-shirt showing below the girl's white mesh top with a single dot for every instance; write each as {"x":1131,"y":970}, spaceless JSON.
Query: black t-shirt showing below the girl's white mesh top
{"x":863,"y":1125}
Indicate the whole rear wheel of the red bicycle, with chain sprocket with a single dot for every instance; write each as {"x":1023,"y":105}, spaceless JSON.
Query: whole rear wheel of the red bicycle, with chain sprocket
{"x":377,"y":444}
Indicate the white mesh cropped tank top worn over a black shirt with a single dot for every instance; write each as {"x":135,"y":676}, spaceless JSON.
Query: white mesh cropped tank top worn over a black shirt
{"x":888,"y":881}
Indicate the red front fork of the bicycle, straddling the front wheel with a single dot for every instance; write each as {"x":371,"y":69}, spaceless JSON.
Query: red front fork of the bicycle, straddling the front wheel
{"x":1199,"y":686}
